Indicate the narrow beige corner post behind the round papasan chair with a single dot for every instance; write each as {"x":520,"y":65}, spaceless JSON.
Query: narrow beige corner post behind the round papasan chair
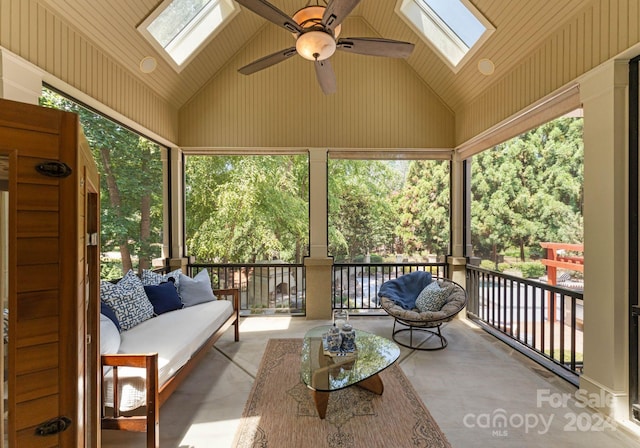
{"x":456,"y":260}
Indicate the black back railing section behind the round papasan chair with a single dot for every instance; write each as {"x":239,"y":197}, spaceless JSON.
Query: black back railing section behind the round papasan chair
{"x":355,"y":285}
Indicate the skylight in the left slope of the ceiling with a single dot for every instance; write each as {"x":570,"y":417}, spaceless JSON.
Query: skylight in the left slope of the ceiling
{"x":179,"y":29}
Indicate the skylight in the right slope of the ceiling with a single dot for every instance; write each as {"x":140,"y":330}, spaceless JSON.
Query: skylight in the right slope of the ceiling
{"x":454,"y":28}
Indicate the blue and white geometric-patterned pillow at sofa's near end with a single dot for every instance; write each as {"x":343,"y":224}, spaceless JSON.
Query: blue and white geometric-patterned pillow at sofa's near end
{"x":128,"y":300}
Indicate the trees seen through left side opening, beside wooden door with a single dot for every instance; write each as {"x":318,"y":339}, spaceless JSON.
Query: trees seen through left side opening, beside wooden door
{"x":130,"y":167}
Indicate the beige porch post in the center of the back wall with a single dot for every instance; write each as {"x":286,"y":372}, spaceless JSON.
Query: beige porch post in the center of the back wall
{"x":318,"y":264}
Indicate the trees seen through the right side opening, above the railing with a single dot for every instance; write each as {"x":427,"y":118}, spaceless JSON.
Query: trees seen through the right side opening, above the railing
{"x":527,"y":191}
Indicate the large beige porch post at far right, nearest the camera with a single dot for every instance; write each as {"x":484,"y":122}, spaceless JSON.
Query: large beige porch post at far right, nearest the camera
{"x":603,"y":94}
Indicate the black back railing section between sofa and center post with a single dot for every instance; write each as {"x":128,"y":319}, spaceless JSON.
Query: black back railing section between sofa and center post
{"x":265,"y":288}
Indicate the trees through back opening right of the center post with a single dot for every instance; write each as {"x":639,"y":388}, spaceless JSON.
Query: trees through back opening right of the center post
{"x":388,"y":211}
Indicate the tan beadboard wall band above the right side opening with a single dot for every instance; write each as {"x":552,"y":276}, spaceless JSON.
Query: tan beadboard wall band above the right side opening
{"x":600,"y":32}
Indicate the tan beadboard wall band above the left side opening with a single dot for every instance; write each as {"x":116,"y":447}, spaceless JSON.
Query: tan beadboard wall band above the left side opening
{"x":35,"y":34}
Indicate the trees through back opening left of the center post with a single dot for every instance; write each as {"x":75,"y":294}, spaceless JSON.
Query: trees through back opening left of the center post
{"x":246,"y":209}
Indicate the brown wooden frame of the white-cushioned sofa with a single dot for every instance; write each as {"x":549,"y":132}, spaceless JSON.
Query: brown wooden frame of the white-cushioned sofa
{"x":156,"y":396}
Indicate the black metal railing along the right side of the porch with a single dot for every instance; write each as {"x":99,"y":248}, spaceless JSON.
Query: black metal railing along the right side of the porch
{"x":542,"y":321}
